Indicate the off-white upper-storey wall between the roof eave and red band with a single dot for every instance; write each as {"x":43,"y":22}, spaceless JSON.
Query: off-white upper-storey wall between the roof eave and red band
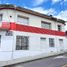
{"x":33,"y":20}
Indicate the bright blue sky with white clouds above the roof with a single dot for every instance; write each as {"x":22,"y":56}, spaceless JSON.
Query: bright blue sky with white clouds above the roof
{"x":57,"y":8}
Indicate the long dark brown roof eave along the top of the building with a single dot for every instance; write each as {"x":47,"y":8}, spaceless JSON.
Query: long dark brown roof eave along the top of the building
{"x":10,"y":6}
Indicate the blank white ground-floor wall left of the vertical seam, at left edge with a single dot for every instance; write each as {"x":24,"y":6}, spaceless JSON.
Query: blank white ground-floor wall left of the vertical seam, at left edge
{"x":6,"y":46}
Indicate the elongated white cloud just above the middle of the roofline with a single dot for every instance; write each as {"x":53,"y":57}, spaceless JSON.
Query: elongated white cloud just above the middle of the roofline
{"x":50,"y":11}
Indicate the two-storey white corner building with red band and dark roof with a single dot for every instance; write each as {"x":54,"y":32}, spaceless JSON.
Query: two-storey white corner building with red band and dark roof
{"x":28,"y":34}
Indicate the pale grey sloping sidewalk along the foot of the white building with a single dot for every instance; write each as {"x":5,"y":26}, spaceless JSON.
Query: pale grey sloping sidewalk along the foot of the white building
{"x":30,"y":58}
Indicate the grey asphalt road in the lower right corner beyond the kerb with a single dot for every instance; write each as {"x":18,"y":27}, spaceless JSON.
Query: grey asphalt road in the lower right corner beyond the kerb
{"x":57,"y":61}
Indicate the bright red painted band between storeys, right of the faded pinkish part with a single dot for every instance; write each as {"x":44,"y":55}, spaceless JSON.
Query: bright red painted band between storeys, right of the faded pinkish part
{"x":19,"y":27}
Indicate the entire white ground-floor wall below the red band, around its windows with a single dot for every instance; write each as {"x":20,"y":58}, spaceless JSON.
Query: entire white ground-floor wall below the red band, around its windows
{"x":8,"y":45}
